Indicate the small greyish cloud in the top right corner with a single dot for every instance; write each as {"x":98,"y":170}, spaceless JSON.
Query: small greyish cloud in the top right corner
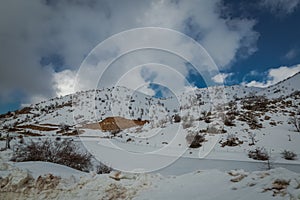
{"x":280,"y":6}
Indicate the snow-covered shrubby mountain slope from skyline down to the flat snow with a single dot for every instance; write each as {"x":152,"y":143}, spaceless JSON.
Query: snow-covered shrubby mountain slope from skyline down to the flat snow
{"x":227,"y":120}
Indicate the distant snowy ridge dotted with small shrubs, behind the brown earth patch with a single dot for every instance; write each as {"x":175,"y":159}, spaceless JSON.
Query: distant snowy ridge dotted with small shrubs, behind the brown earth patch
{"x":96,"y":105}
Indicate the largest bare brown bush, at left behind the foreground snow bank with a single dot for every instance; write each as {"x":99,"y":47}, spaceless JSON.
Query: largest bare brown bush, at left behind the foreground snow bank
{"x":63,"y":152}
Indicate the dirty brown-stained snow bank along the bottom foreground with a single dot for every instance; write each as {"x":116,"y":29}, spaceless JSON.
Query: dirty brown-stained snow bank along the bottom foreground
{"x":17,"y":182}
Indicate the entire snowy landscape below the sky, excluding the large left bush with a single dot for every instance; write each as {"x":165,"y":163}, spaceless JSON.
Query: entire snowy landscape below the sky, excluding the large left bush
{"x":221,"y":128}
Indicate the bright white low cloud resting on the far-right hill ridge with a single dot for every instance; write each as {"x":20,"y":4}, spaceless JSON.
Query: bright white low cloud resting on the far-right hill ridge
{"x":275,"y":75}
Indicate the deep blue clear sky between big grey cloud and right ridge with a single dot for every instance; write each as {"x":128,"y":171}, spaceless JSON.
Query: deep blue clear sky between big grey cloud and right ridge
{"x":279,"y":36}
